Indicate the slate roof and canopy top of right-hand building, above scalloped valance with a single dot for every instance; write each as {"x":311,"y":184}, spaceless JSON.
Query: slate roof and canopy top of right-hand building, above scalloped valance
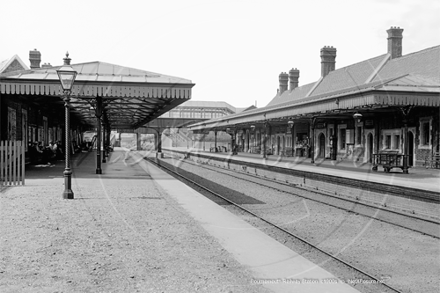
{"x":417,"y":72}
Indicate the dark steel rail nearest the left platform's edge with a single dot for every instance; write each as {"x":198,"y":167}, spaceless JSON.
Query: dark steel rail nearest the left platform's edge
{"x":378,"y":281}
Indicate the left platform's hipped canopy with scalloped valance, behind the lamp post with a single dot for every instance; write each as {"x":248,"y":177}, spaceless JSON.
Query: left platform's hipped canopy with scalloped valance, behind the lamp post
{"x":130,"y":97}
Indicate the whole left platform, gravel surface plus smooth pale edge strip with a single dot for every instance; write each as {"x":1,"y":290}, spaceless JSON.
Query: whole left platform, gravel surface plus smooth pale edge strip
{"x":136,"y":228}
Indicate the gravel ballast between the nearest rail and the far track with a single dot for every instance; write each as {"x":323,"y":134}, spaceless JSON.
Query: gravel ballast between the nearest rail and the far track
{"x":406,"y":259}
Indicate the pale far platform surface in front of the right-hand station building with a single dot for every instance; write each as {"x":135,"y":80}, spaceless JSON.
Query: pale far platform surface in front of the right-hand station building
{"x":419,"y":178}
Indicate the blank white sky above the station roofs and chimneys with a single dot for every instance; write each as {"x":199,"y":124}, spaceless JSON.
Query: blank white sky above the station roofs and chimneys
{"x":233,"y":50}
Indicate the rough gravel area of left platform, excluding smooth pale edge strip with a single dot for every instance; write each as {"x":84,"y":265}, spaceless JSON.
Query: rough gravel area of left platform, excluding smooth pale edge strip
{"x":122,"y":233}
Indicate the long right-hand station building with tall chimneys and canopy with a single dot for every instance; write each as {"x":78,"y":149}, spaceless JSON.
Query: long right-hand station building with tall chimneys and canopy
{"x":388,"y":103}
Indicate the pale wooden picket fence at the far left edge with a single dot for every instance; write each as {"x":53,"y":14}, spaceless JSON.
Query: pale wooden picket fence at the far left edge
{"x":12,"y":161}
